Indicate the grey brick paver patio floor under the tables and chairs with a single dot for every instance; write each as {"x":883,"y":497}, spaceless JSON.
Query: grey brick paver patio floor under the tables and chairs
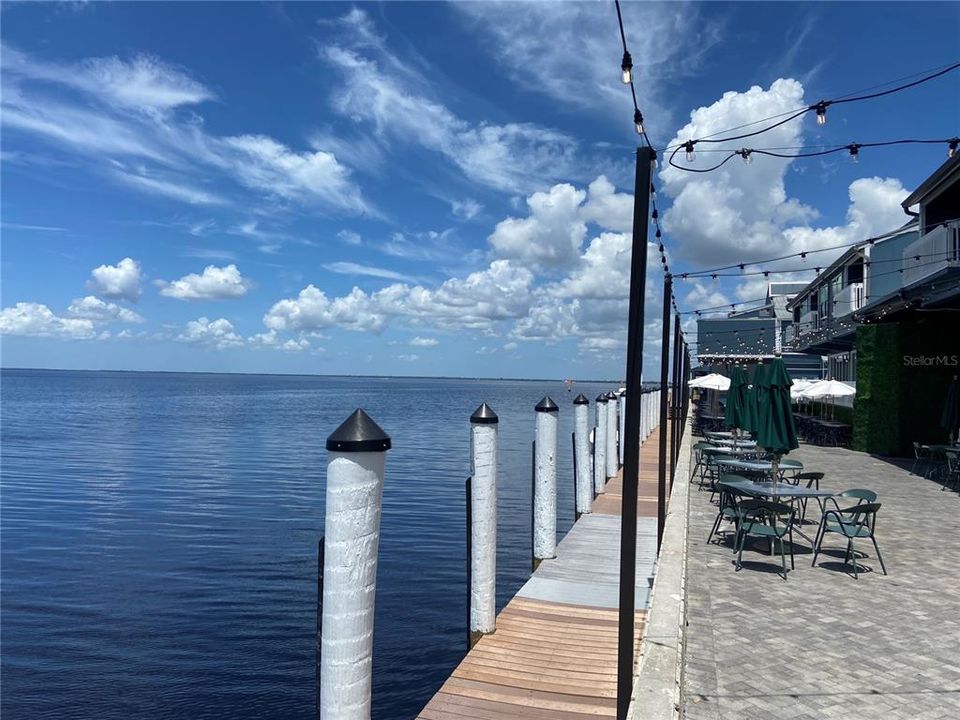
{"x":822,"y":645}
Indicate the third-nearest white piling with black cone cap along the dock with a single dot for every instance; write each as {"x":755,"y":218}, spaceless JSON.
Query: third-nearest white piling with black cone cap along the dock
{"x":545,"y":483}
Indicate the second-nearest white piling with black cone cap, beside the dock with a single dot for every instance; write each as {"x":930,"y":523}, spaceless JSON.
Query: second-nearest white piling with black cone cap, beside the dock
{"x":483,"y":526}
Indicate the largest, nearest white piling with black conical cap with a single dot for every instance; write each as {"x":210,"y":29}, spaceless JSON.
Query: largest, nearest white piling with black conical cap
{"x":354,"y":495}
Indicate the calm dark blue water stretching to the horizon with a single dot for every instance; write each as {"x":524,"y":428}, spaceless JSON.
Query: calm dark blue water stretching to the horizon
{"x":159,"y":536}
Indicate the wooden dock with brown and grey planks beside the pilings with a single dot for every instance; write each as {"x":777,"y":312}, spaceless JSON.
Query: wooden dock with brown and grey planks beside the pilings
{"x":554,"y":654}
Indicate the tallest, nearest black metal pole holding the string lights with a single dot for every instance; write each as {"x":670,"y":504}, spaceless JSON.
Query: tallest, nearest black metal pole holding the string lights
{"x":631,"y":454}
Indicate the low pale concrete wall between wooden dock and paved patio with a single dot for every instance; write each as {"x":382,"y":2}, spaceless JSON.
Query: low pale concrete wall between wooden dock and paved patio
{"x":656,"y":694}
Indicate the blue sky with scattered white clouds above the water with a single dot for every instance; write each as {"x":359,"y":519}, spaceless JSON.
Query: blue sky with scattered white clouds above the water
{"x":423,"y":188}
